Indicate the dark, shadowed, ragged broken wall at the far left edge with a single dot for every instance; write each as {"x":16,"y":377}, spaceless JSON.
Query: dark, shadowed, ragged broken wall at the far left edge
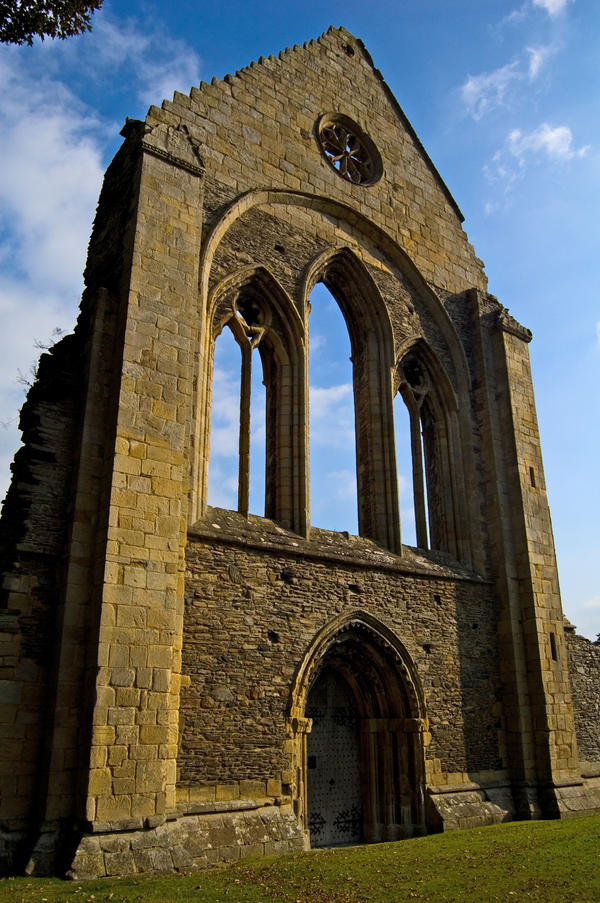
{"x":33,"y":531}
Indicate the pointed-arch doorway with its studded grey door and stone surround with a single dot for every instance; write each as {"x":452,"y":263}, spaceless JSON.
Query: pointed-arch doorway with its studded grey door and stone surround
{"x":359,"y":736}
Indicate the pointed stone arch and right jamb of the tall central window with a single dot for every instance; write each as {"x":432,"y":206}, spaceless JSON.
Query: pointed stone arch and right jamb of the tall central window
{"x":371,"y":341}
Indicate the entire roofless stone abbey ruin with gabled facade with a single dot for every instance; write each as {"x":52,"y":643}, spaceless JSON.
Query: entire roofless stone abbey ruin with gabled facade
{"x":183,"y":685}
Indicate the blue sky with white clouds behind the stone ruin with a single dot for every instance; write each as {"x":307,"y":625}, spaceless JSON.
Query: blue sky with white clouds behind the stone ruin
{"x":505,"y":97}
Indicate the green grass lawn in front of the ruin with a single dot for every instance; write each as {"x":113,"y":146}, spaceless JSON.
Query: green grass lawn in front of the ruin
{"x":526,"y":861}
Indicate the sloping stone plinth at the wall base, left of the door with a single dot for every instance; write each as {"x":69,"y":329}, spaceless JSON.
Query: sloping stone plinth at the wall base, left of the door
{"x":190,"y":843}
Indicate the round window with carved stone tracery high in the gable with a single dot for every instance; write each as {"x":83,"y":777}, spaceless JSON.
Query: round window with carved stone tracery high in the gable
{"x":349,"y":150}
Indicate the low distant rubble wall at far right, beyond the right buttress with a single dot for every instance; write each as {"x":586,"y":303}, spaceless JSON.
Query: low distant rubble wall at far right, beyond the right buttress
{"x":584,"y":673}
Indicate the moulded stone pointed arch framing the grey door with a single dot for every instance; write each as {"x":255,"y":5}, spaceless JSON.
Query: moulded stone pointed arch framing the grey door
{"x":377,"y":670}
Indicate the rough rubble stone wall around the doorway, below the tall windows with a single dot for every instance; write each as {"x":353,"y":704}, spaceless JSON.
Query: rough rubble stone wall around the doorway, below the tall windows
{"x":255,"y":598}
